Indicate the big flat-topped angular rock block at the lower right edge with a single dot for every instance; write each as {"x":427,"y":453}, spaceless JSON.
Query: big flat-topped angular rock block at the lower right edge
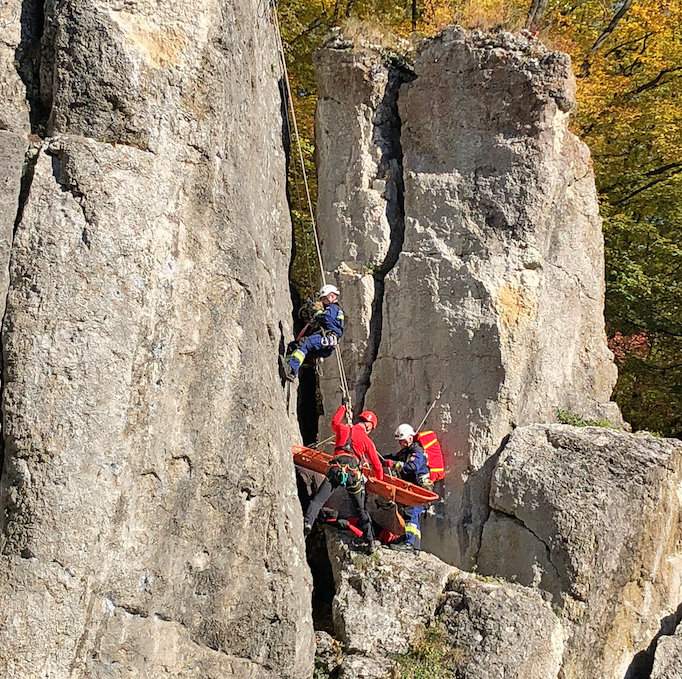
{"x":591,"y":516}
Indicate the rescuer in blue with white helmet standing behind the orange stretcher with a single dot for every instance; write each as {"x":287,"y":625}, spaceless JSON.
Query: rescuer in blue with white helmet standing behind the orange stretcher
{"x":411,"y":464}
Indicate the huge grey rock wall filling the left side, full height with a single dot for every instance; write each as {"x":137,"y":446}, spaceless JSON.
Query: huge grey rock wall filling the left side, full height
{"x":149,"y":520}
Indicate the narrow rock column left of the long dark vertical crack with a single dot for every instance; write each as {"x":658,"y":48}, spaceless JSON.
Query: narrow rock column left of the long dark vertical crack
{"x":360,"y":187}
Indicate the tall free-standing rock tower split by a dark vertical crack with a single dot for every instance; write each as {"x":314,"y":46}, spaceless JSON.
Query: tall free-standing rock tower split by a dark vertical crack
{"x":497,"y":294}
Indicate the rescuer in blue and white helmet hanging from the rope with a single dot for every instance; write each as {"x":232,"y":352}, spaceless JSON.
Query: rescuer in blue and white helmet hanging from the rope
{"x":329,"y":319}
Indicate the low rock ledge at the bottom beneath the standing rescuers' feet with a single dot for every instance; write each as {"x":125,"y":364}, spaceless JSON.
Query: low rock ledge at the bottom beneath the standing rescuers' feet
{"x":386,"y":603}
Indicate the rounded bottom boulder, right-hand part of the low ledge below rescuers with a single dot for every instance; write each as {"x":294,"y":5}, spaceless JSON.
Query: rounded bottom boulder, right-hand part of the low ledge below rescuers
{"x":500,"y":631}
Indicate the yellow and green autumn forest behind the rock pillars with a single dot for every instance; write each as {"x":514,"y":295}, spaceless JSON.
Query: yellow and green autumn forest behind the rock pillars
{"x":627,"y":57}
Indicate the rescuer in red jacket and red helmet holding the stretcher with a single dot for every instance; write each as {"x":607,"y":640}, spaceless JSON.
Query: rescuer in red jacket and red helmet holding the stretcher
{"x":353,"y":450}
